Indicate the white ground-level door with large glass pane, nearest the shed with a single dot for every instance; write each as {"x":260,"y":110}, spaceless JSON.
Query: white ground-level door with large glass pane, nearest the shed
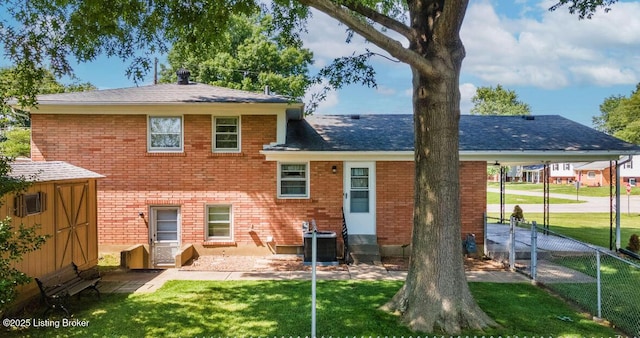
{"x":165,"y":235}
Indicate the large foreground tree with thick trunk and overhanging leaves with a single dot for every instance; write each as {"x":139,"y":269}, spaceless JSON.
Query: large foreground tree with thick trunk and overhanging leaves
{"x":425,"y":35}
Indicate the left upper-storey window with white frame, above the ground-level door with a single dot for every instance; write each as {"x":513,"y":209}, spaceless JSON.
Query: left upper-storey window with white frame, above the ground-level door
{"x":165,"y":133}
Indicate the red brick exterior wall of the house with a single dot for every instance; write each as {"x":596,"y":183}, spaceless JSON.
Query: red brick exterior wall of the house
{"x":115,"y":146}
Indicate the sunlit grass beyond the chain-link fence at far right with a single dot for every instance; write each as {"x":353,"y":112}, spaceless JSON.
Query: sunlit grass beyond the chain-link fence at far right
{"x":588,"y":227}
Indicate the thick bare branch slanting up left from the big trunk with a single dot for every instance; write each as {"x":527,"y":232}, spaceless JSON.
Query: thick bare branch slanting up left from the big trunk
{"x":381,"y":40}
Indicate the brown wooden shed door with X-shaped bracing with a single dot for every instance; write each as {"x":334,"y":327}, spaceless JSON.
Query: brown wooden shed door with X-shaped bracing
{"x":72,"y":223}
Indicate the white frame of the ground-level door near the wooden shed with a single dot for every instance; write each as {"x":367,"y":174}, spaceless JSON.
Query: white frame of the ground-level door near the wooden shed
{"x":162,"y":251}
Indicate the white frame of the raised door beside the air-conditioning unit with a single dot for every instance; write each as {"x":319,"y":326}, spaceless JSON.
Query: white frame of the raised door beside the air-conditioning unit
{"x":360,"y":222}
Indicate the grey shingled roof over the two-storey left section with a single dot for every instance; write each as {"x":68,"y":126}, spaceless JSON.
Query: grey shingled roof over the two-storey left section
{"x":161,"y":93}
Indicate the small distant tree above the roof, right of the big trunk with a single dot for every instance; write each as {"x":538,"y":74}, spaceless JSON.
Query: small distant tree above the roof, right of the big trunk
{"x":498,"y":101}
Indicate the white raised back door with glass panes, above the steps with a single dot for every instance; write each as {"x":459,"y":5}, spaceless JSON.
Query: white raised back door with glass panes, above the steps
{"x":360,"y":197}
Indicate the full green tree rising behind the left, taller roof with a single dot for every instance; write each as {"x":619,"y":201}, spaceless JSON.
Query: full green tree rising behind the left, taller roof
{"x":249,"y":56}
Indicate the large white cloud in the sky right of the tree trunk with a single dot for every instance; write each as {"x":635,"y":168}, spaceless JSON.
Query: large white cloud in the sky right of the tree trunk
{"x":555,"y":49}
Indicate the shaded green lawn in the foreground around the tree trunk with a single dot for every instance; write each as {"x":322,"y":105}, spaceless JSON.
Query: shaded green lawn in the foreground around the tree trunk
{"x":282,"y":308}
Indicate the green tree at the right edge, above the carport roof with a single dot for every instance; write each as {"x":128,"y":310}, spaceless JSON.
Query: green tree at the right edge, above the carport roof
{"x":620,"y":116}
